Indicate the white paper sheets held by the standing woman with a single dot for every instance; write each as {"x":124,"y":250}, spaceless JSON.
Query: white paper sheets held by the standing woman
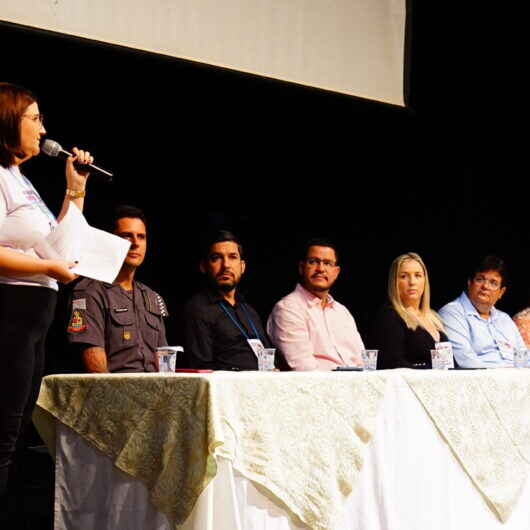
{"x":99,"y":254}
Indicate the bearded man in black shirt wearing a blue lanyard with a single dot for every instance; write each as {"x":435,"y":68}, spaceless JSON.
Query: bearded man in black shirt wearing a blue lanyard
{"x":221,"y":330}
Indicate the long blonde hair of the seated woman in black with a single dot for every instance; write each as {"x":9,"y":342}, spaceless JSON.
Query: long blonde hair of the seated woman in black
{"x":425,"y":303}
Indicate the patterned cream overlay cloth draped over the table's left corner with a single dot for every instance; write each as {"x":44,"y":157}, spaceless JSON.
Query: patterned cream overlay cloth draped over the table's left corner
{"x":300,"y":436}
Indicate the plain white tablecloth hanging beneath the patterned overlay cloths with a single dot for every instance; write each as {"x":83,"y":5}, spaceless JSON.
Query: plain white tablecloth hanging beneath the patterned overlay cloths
{"x":410,"y":480}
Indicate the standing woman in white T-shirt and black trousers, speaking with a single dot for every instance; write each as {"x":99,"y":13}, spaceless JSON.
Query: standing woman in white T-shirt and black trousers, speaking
{"x":28,"y":284}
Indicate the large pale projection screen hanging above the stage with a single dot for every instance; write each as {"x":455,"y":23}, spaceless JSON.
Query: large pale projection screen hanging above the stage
{"x":355,"y":47}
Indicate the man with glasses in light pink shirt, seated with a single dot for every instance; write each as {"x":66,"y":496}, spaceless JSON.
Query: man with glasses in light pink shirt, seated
{"x":312,"y":329}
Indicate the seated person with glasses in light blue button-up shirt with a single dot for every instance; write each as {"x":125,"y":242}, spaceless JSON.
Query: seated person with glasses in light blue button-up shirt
{"x":482,"y":336}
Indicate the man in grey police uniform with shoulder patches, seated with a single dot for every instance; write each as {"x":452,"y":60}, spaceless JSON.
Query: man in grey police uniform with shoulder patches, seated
{"x":117,"y":327}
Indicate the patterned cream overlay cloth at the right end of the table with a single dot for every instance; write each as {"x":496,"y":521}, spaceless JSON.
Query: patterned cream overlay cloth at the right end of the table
{"x":484,"y":417}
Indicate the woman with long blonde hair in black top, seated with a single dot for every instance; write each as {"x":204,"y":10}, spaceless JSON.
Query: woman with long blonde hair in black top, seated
{"x":406,"y":328}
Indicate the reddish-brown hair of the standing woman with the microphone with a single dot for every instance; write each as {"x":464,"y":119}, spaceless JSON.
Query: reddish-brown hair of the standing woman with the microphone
{"x":14,"y":101}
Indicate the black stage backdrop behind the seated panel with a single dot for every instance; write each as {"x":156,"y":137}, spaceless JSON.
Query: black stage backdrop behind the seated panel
{"x":199,"y":147}
